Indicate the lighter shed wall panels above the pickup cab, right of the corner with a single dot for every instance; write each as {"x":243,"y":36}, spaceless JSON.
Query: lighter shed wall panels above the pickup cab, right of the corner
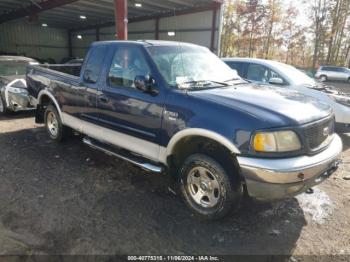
{"x":193,"y":28}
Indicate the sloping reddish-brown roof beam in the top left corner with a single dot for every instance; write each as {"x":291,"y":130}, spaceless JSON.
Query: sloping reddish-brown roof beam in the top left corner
{"x":33,"y":9}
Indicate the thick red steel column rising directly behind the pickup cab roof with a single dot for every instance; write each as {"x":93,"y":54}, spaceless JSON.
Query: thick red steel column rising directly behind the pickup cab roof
{"x":121,"y":19}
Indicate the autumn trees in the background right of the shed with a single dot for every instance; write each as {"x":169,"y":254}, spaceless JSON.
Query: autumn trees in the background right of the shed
{"x":270,"y":29}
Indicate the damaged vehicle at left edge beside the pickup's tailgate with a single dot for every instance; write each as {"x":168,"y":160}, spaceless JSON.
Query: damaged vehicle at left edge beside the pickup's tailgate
{"x":13,"y":88}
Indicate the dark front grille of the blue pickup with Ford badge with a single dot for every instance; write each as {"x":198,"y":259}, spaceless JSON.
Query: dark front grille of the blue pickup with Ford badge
{"x":319,"y":133}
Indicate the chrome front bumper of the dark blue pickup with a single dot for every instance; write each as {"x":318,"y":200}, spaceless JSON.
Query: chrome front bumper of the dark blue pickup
{"x":269,"y":179}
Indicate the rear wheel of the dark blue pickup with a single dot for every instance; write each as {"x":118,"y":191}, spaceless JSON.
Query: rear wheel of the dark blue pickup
{"x":53,"y":124}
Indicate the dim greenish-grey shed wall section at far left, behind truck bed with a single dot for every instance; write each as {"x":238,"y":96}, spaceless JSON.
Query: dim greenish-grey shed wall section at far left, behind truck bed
{"x":33,"y":41}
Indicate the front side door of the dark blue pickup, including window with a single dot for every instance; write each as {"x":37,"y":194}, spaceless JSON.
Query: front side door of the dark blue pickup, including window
{"x":122,"y":107}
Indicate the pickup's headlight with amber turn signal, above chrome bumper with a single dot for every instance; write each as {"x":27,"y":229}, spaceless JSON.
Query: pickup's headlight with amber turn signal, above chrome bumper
{"x":279,"y":141}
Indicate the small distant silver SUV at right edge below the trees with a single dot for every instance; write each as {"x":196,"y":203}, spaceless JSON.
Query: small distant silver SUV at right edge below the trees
{"x":333,"y":73}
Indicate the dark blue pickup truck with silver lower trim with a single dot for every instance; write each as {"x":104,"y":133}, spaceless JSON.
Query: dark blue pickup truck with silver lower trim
{"x":177,"y":108}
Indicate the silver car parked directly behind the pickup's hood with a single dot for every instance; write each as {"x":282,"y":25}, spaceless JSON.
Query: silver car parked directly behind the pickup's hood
{"x":267,"y":72}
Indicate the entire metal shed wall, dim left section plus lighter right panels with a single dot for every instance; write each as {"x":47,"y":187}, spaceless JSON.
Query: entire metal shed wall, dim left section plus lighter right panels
{"x":46,"y":42}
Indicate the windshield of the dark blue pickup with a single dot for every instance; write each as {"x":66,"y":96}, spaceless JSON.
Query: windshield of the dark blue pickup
{"x":191,"y":67}
